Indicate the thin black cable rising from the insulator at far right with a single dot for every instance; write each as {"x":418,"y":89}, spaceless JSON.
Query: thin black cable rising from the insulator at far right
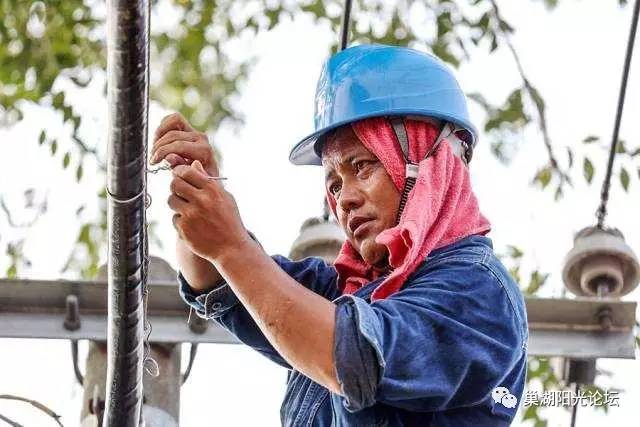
{"x":604,"y":196}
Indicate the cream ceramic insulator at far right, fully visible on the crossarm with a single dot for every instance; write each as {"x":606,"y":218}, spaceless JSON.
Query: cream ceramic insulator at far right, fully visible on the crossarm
{"x":600,"y":264}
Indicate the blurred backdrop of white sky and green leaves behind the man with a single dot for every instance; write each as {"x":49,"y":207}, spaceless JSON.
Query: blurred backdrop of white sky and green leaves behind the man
{"x":542,"y":79}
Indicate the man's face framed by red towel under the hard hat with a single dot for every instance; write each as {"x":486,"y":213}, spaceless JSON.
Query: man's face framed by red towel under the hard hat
{"x":366,"y":198}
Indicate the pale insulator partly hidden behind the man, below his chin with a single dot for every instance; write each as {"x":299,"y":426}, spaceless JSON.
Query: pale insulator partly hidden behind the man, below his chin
{"x":318,"y":238}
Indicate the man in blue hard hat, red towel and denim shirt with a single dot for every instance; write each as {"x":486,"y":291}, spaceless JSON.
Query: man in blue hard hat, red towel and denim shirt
{"x":417,"y":322}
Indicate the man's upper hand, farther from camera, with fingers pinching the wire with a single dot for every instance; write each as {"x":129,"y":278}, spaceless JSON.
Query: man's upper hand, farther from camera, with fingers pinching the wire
{"x":178,"y":143}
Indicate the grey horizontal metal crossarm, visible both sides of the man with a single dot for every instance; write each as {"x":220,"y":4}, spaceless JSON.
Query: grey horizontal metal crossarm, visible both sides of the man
{"x":575,"y":328}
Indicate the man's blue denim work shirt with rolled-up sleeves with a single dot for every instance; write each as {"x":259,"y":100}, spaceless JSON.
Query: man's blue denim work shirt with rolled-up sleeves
{"x":445,"y":350}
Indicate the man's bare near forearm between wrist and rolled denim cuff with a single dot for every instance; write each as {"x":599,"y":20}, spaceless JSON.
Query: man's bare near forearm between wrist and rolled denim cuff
{"x":298,"y":323}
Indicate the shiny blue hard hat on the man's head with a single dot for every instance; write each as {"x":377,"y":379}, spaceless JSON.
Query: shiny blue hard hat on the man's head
{"x":376,"y":80}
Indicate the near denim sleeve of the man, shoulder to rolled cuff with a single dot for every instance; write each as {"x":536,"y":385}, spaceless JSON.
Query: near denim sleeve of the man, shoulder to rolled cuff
{"x":440,"y":343}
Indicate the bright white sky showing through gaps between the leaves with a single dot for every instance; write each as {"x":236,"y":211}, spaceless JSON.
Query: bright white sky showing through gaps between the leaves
{"x":573,"y":55}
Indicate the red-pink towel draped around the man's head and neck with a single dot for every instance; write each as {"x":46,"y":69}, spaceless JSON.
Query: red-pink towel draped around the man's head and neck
{"x":440,"y":210}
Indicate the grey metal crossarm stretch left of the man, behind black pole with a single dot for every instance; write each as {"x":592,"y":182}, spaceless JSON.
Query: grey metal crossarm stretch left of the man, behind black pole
{"x":77,"y":310}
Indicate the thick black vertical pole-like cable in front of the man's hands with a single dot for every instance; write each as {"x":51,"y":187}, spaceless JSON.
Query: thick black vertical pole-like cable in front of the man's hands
{"x":127,"y":83}
